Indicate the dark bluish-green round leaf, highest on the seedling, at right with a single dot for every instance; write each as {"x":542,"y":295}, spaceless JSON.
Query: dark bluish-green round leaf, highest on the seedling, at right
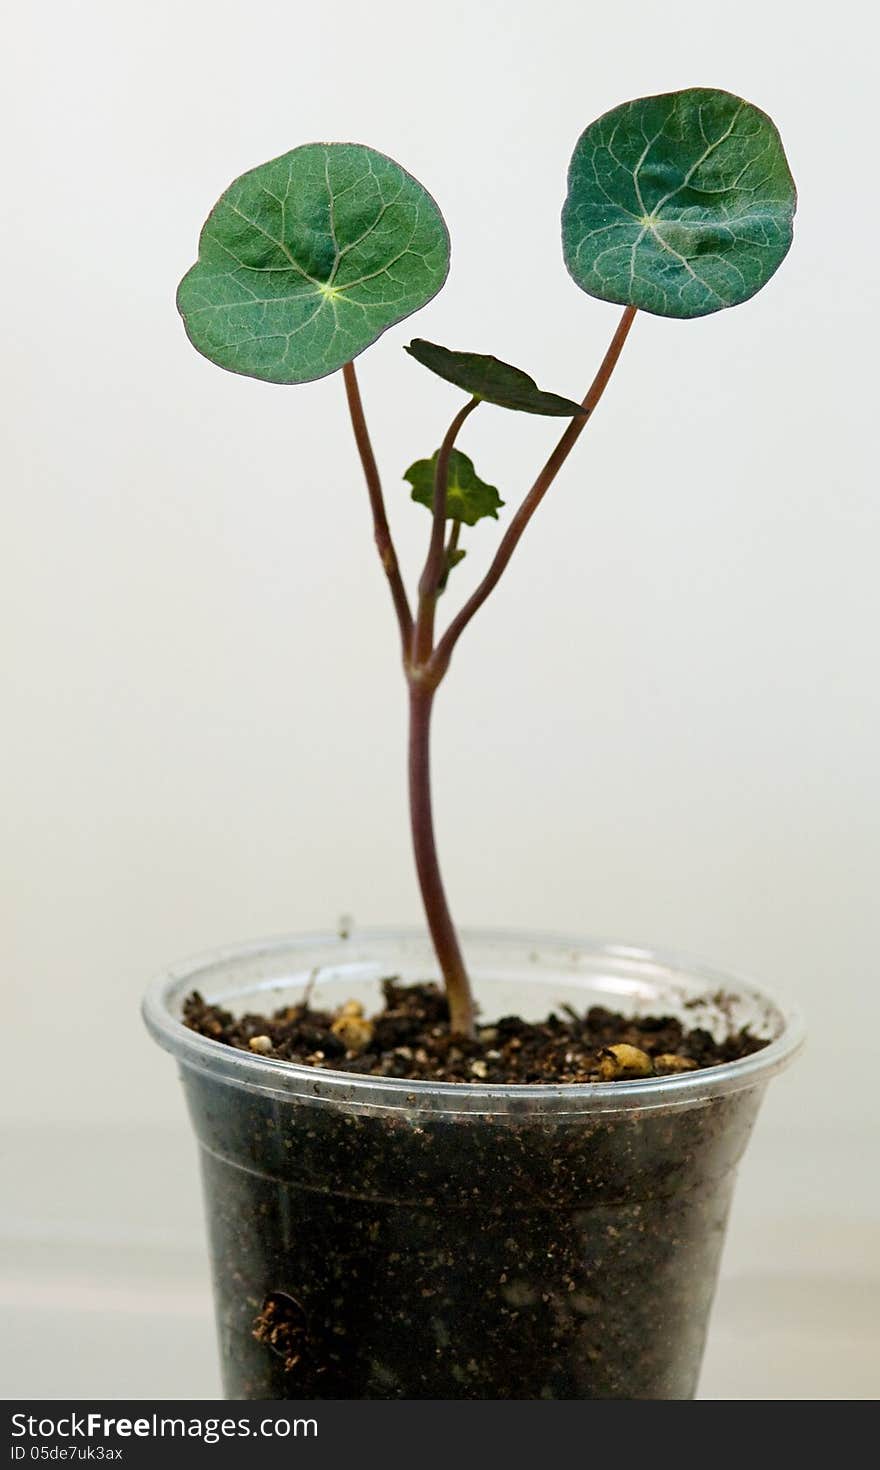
{"x":679,"y":205}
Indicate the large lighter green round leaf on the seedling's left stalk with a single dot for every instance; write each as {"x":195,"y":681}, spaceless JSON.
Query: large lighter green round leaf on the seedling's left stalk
{"x":308,"y":259}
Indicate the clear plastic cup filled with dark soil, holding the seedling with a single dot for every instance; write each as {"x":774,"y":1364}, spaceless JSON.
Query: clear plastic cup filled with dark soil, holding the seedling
{"x":375,"y":1238}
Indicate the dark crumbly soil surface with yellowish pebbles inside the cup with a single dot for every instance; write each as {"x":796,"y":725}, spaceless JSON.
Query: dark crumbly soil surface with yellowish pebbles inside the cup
{"x":411,"y":1039}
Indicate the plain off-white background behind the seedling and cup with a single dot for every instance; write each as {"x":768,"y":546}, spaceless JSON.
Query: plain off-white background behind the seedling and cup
{"x":665,"y":727}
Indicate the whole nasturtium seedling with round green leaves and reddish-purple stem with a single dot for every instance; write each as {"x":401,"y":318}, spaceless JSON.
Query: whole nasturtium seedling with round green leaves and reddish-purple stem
{"x":678,"y":205}
